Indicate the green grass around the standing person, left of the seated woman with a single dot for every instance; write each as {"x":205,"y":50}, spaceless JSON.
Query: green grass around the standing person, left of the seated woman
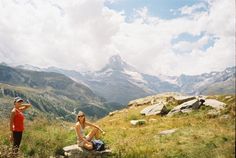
{"x":41,"y":138}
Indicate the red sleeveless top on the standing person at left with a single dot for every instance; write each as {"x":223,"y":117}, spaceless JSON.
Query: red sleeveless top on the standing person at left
{"x":18,"y":122}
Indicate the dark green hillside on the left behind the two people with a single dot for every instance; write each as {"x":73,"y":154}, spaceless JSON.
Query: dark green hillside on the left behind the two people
{"x":51,"y":93}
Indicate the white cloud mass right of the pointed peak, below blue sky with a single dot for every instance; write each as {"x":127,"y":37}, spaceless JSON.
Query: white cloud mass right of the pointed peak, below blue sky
{"x":149,"y":46}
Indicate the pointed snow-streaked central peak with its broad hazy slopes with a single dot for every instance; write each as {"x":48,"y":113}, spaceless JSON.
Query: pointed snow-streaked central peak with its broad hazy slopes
{"x":119,"y":81}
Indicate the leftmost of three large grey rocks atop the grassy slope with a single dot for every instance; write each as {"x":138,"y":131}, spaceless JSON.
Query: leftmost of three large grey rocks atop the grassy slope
{"x":154,"y":109}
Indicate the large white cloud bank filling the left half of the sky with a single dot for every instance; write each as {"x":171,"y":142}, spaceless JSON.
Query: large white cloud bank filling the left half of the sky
{"x":69,"y":34}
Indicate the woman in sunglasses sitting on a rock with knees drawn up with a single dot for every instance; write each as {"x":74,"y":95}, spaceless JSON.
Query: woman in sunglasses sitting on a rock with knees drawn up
{"x":81,"y":123}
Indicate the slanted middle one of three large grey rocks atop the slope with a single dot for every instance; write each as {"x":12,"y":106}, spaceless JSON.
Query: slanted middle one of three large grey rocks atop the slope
{"x":192,"y":104}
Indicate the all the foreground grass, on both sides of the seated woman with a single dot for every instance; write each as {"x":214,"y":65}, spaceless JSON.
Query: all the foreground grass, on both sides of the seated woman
{"x":197,"y":135}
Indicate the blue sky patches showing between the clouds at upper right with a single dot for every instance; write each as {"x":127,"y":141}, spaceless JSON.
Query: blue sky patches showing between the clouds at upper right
{"x":163,"y":9}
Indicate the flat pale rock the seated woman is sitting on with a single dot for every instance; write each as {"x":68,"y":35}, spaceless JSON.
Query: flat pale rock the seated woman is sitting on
{"x":74,"y":151}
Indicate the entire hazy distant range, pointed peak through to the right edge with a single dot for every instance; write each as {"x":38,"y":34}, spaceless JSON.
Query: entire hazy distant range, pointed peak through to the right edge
{"x":120,"y":82}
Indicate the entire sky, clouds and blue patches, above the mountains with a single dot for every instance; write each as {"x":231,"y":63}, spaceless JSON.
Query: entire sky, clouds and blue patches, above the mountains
{"x":169,"y":37}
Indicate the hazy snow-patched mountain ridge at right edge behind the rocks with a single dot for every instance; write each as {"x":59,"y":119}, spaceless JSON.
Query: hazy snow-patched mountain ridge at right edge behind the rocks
{"x":209,"y":83}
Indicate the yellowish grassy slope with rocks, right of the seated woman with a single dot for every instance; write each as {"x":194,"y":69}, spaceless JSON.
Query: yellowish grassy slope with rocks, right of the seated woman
{"x":197,"y":134}
